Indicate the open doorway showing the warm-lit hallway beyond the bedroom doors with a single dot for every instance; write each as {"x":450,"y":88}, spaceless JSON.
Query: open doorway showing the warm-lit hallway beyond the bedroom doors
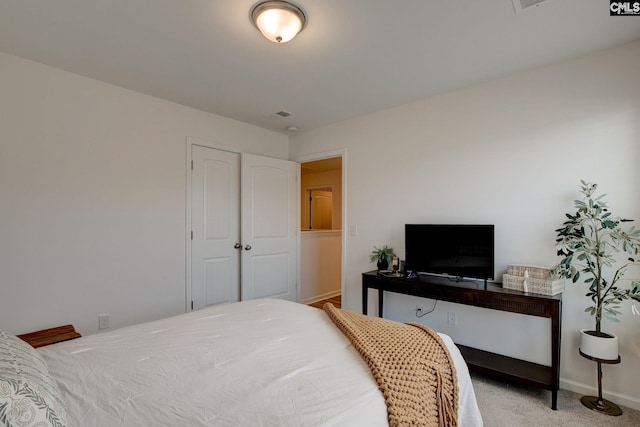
{"x":321,"y":230}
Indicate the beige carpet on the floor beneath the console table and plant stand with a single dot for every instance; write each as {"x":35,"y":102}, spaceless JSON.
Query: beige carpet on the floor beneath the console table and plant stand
{"x":512,"y":405}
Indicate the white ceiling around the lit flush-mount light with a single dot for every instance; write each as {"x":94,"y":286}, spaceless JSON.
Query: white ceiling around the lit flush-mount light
{"x":354,"y":57}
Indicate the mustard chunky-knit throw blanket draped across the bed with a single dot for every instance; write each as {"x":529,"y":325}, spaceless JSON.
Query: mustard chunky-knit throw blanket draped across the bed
{"x":411,"y":365}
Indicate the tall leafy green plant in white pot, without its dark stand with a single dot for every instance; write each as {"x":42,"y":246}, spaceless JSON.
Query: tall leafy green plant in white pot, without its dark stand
{"x":588,"y":243}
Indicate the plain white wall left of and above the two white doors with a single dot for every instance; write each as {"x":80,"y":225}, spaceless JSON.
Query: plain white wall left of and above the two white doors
{"x":92,"y":197}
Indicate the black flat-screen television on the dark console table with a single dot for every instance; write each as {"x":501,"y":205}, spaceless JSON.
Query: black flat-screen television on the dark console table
{"x":453,"y":250}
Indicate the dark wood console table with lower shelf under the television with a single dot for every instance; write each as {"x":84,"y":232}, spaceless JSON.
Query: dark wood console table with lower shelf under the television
{"x":493,"y":297}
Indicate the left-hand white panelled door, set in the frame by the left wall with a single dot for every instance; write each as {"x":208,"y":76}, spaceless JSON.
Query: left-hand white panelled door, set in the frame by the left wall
{"x":215,"y":220}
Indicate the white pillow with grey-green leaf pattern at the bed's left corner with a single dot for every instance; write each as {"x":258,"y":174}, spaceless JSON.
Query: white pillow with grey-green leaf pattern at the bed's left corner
{"x":29,"y":397}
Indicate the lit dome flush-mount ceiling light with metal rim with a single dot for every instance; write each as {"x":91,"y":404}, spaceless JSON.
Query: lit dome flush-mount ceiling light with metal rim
{"x":279,"y":21}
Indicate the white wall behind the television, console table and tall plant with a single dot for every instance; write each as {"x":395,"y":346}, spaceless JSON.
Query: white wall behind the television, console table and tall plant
{"x":509,"y":152}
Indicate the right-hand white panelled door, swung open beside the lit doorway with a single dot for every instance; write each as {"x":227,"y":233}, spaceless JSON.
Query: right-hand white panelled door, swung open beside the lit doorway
{"x":269,"y":228}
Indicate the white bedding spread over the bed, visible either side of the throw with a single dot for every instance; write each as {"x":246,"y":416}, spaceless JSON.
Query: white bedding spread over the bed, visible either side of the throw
{"x":254,"y":363}
